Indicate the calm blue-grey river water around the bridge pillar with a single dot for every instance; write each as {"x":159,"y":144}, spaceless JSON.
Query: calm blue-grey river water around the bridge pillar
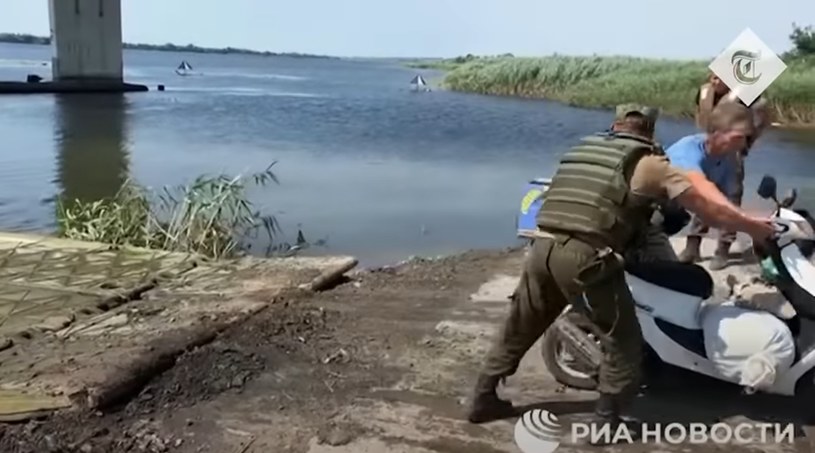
{"x":375,"y":170}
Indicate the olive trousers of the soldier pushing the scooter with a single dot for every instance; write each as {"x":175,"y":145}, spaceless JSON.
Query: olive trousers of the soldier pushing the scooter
{"x":560,"y":271}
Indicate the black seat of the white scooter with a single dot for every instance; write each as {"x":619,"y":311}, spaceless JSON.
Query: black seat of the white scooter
{"x":685,"y":278}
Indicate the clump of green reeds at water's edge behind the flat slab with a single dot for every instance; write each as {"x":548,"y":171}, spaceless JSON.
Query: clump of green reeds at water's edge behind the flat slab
{"x":211,"y":216}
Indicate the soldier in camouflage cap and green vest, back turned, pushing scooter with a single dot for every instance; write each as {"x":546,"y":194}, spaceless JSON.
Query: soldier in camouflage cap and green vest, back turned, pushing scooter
{"x":599,"y":205}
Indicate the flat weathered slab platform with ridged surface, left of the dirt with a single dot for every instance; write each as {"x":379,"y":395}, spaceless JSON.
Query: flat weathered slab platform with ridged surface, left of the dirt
{"x":82,"y":325}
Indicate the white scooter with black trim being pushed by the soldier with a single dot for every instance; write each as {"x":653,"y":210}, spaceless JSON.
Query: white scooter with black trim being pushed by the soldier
{"x":670,"y":298}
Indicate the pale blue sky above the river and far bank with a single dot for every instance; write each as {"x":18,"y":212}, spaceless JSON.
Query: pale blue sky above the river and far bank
{"x":447,"y":28}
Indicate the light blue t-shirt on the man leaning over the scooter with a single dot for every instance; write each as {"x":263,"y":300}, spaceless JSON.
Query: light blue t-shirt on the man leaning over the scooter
{"x":689,"y":154}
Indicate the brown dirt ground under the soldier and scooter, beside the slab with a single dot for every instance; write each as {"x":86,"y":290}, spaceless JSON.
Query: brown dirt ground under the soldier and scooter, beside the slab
{"x":382,"y":363}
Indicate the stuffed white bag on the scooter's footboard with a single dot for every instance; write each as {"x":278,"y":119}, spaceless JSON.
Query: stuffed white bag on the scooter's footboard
{"x":746,"y":346}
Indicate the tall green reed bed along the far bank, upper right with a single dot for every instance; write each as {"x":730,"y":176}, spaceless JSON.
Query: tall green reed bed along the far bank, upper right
{"x":603,"y":82}
